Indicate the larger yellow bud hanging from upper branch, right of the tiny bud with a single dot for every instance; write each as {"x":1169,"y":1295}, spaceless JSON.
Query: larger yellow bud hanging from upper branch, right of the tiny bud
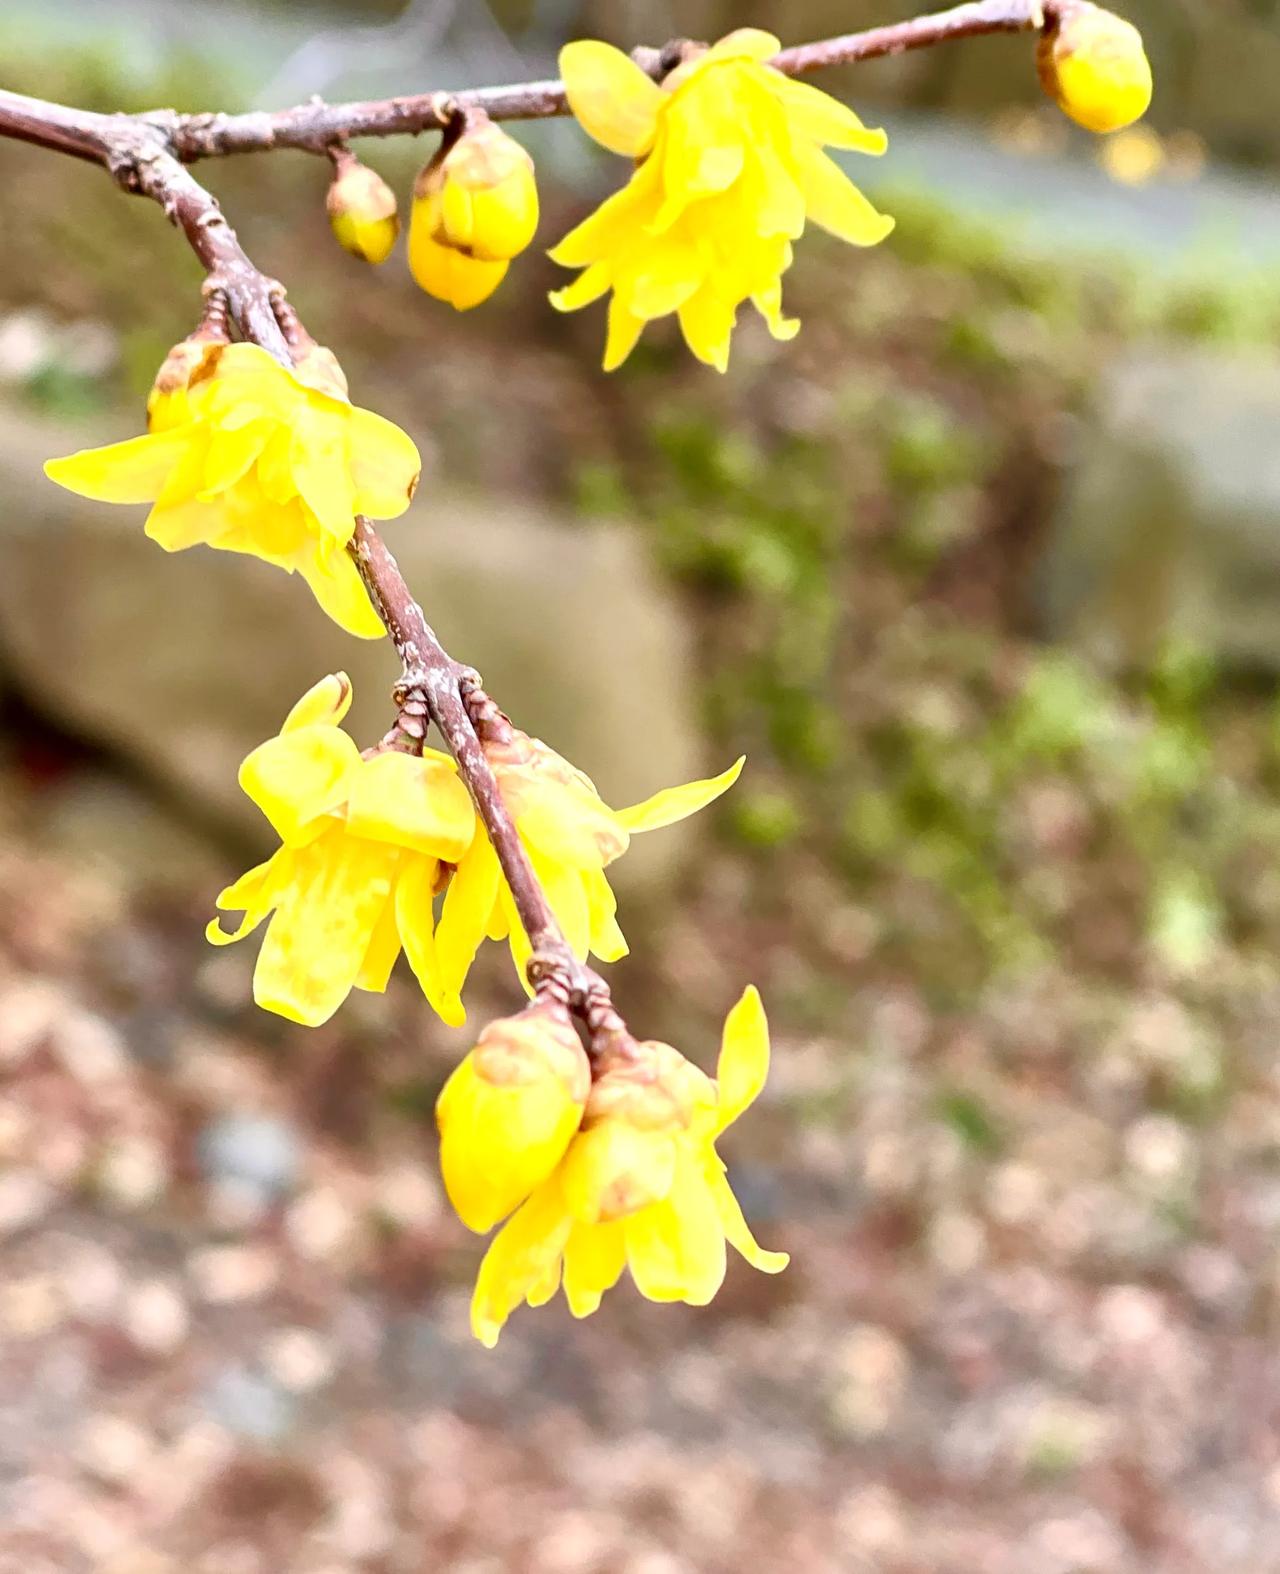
{"x":476,"y":207}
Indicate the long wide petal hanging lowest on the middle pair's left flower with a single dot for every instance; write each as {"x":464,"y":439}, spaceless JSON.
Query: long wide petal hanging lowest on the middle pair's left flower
{"x":319,"y":937}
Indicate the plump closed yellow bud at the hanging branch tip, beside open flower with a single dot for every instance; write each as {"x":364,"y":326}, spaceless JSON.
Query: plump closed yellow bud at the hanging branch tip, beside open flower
{"x":509,"y":1110}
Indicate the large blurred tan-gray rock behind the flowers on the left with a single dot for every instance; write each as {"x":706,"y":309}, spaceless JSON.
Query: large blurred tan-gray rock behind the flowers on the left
{"x":187,"y":662}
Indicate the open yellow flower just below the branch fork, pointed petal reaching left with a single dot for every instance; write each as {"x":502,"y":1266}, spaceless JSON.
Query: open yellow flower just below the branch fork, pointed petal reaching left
{"x":250,"y":457}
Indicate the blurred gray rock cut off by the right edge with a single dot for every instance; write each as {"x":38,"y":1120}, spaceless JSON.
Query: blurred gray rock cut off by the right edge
{"x":1169,"y":527}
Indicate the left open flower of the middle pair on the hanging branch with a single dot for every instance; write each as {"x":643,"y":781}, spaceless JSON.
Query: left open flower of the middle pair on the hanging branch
{"x":361,"y":862}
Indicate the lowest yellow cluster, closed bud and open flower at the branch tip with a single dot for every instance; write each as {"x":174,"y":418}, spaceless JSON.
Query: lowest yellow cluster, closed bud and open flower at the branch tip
{"x":621,"y":1177}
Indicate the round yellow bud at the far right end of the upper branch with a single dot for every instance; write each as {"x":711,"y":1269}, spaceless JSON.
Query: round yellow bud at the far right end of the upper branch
{"x":1093,"y":65}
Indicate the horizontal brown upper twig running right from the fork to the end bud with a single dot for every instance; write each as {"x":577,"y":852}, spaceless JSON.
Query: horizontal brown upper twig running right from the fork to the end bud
{"x":314,"y":127}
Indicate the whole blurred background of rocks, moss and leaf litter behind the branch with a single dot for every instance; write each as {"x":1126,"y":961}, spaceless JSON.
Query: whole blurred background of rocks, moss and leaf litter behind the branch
{"x":982,"y":574}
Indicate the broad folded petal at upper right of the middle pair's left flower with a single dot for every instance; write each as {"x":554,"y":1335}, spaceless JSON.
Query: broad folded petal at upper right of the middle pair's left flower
{"x":415,"y":804}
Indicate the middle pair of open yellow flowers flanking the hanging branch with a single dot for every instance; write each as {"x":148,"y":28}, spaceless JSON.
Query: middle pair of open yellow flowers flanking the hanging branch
{"x":371,"y":841}
